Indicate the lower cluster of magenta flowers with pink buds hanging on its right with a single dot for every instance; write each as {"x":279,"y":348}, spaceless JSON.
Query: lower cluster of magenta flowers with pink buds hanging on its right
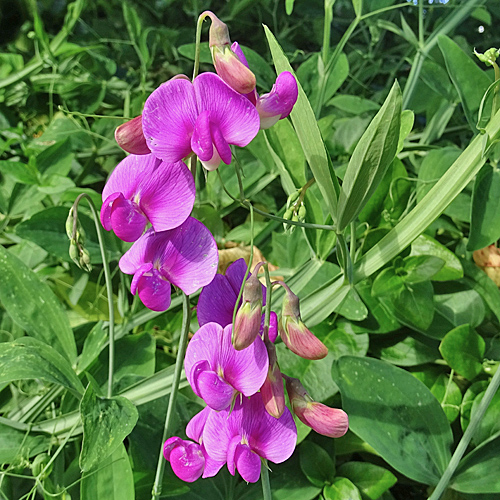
{"x":235,"y":371}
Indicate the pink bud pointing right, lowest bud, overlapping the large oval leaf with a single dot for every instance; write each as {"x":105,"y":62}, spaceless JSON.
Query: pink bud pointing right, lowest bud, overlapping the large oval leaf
{"x":331,"y":422}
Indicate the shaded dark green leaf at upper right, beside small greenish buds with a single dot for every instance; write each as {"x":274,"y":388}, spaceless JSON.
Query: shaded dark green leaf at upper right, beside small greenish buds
{"x":469,"y":80}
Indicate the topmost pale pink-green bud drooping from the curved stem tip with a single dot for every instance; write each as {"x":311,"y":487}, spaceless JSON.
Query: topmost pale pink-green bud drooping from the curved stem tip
{"x":227,"y":64}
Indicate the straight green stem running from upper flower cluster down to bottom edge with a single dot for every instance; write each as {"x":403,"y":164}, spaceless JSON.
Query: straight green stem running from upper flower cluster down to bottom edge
{"x":179,"y":362}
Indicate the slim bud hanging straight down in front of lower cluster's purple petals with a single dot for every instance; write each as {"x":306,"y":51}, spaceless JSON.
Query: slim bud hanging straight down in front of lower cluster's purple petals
{"x":249,"y":315}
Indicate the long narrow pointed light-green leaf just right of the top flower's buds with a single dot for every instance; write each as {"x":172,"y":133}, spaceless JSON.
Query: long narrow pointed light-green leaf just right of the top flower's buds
{"x":306,"y":127}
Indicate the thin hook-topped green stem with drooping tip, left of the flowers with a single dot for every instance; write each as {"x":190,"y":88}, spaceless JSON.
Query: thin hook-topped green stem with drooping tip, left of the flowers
{"x":107,"y":279}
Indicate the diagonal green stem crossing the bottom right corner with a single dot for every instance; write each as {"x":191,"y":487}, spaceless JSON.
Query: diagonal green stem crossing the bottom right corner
{"x":469,"y":432}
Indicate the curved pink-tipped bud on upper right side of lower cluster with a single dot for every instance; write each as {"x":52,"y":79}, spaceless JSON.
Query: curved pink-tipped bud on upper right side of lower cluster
{"x":294,"y":333}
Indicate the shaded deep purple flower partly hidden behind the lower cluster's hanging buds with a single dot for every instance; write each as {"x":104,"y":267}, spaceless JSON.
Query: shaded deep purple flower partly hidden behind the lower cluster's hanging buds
{"x":217,"y":300}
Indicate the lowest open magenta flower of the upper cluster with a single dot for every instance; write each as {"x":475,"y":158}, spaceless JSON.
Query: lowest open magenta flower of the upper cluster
{"x":186,"y":256}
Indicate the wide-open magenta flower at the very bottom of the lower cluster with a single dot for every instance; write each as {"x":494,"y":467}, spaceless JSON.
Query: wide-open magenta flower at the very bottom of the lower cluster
{"x":243,"y":435}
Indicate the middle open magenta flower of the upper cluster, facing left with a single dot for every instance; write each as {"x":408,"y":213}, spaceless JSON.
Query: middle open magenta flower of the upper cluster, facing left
{"x":144,"y":189}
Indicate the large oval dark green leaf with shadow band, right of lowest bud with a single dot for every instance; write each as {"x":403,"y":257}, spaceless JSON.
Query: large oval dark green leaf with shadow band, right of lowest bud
{"x":395,"y":414}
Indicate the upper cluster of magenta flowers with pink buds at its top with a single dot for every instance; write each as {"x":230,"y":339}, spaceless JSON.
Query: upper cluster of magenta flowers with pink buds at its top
{"x":150,"y":194}
